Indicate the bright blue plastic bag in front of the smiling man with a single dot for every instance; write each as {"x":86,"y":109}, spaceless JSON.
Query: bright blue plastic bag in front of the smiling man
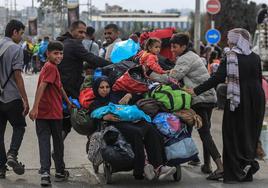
{"x":124,"y":50}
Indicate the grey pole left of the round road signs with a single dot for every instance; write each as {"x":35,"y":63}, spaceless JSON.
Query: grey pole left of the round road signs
{"x":197,"y":27}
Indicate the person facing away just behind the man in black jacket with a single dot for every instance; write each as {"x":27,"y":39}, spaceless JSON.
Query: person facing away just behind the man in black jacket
{"x":89,"y":43}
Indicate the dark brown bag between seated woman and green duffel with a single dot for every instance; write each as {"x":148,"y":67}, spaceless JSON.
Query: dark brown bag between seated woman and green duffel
{"x":151,"y":107}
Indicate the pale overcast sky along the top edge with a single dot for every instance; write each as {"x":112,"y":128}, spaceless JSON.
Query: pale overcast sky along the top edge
{"x":153,"y":5}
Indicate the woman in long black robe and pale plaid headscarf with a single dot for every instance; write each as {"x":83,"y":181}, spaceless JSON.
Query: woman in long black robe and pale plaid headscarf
{"x":244,"y":110}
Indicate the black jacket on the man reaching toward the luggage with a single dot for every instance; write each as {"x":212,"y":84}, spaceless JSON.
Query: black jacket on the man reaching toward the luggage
{"x":71,"y":67}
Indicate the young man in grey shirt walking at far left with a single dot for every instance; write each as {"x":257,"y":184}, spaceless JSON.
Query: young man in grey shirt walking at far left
{"x":13,"y":99}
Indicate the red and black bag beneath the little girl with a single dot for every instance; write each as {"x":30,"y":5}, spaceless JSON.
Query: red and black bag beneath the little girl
{"x":127,"y":82}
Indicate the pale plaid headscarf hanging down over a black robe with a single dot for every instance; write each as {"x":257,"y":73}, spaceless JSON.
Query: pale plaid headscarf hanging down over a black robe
{"x":240,"y":40}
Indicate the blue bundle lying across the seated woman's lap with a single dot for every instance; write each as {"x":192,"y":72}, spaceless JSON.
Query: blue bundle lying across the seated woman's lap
{"x":123,"y":112}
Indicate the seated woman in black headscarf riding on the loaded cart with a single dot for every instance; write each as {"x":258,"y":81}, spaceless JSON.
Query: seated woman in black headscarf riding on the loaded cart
{"x":139,"y":135}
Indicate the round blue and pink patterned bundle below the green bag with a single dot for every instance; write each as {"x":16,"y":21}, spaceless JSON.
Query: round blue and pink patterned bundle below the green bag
{"x":168,"y":124}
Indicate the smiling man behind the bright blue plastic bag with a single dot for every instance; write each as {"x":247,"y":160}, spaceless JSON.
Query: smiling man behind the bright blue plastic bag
{"x":111,"y":35}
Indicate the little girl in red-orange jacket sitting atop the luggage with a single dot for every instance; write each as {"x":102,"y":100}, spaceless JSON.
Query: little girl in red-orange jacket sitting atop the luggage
{"x":149,"y":58}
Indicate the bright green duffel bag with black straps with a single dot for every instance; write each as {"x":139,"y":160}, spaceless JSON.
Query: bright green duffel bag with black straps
{"x":173,"y":100}
